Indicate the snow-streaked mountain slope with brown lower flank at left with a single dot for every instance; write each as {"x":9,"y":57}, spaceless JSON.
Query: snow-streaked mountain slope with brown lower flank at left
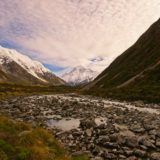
{"x":19,"y":69}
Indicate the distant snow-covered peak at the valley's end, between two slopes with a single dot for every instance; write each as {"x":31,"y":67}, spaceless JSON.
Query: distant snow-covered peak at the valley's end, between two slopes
{"x":79,"y":75}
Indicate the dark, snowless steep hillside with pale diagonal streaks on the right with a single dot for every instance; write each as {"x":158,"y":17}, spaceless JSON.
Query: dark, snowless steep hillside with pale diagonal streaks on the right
{"x":136,"y":73}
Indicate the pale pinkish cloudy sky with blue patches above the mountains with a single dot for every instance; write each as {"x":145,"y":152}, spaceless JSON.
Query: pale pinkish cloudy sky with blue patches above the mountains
{"x":66,"y":33}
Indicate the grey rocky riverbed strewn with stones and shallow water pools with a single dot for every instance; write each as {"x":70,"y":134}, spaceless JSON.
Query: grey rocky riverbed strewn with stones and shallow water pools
{"x":101,"y":128}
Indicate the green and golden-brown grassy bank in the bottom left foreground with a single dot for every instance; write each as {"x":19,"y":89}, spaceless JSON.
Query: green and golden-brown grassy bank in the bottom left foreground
{"x":20,"y":141}
